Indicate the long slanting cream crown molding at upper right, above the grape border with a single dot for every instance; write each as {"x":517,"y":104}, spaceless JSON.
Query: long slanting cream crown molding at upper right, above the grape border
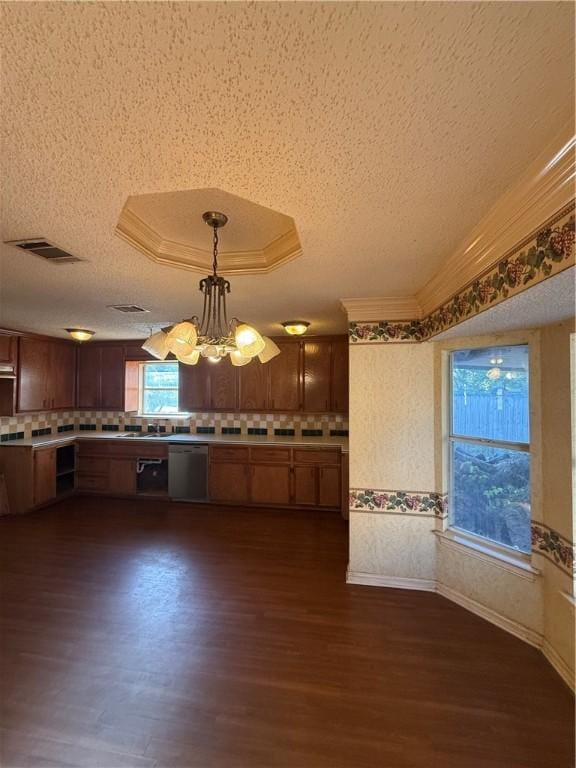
{"x":546,"y":187}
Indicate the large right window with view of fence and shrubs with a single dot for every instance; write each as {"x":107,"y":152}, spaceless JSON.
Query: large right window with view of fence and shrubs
{"x":490,"y":444}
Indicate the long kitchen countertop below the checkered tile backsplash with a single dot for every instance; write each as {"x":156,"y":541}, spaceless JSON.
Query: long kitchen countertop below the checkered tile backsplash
{"x":62,"y":438}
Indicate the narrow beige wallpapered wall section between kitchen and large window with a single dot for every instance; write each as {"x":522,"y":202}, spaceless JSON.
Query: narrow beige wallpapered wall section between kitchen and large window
{"x":392,"y":448}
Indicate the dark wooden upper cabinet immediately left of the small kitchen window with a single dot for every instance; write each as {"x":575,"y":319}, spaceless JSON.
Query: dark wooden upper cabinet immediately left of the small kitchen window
{"x":101,"y":377}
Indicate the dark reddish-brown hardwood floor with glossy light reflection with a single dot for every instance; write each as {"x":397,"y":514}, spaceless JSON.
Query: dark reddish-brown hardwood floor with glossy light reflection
{"x":155,"y":635}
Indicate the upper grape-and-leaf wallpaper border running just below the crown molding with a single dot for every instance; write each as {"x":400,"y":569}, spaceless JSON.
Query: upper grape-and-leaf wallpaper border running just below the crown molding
{"x":548,"y":252}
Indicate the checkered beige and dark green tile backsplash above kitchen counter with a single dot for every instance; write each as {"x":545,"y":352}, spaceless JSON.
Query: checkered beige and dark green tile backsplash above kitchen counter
{"x":14,"y":427}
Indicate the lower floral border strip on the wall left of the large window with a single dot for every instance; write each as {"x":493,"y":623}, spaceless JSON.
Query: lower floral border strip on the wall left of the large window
{"x":398,"y":502}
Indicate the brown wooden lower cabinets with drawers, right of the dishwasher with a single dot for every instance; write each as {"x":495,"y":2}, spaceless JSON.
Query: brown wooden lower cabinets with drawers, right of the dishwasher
{"x":275,"y":476}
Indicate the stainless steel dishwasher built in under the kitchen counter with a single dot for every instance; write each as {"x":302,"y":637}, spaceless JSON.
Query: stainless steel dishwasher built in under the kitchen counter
{"x":188,"y":472}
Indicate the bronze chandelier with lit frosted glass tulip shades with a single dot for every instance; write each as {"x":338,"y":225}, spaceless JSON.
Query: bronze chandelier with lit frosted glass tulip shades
{"x":214,"y":336}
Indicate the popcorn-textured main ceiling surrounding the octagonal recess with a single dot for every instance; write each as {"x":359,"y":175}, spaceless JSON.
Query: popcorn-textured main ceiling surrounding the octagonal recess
{"x":386,"y":130}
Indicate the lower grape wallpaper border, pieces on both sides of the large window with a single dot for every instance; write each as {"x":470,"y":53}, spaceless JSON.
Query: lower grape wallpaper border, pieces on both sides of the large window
{"x":545,"y":541}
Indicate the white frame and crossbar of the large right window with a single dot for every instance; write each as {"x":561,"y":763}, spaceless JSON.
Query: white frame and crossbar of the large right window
{"x":498,"y":548}
